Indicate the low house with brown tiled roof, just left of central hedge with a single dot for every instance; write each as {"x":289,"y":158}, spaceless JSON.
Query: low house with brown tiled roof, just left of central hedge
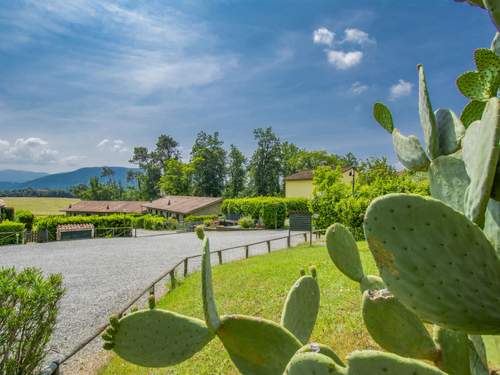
{"x":179,"y":207}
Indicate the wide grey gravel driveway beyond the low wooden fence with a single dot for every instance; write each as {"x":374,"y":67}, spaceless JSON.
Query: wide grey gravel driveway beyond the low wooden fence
{"x":102,"y":275}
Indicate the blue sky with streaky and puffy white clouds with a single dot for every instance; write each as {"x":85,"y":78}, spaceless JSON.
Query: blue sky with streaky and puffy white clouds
{"x":84,"y":81}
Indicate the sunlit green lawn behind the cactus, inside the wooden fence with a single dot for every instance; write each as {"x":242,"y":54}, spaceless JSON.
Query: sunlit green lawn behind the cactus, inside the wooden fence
{"x":258,"y":286}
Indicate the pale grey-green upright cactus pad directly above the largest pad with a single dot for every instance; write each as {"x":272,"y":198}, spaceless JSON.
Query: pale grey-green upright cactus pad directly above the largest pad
{"x":448,"y":180}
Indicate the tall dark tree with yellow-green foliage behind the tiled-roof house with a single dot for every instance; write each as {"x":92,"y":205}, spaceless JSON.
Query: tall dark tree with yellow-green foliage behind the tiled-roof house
{"x":209,"y":161}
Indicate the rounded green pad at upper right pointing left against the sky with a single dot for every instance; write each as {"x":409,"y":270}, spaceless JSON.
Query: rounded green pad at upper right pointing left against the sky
{"x":480,"y":85}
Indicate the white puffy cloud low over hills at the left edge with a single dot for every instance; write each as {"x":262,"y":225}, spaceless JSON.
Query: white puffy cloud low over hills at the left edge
{"x":27,"y":150}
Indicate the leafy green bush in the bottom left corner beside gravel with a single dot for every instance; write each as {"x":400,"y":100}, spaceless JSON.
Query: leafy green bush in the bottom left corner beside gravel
{"x":28,"y":311}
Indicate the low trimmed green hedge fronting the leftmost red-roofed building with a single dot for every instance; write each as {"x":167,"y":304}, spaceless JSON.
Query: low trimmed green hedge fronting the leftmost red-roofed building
{"x":110,"y":221}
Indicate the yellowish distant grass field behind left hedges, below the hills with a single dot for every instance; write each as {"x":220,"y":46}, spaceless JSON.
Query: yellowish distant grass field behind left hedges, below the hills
{"x":40,"y":206}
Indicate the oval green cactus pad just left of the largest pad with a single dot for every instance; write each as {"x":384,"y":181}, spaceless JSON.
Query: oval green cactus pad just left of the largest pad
{"x":344,"y":252}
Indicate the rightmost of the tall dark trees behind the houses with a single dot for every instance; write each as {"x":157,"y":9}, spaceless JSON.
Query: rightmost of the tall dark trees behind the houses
{"x":265,"y":165}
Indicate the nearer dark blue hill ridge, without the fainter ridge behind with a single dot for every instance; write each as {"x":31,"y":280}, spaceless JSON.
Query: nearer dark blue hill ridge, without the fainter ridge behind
{"x":63,"y":181}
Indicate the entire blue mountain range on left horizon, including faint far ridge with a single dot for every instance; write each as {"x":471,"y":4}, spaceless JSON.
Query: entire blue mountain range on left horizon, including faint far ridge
{"x":17,"y":179}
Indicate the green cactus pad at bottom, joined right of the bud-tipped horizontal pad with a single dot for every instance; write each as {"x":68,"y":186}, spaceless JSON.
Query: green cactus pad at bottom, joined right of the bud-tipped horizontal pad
{"x":257,"y":346}
